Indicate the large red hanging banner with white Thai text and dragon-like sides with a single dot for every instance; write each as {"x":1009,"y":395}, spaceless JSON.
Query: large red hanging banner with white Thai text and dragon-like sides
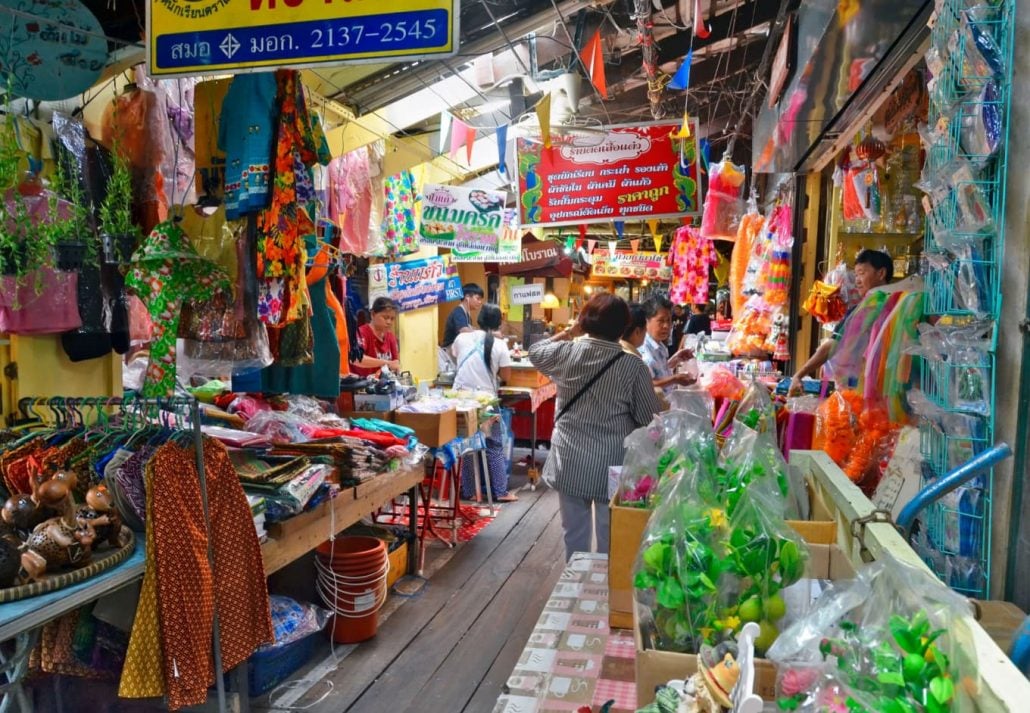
{"x":627,"y":173}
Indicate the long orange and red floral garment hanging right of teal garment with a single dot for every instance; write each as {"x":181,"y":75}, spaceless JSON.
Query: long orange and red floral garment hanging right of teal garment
{"x":282,"y":258}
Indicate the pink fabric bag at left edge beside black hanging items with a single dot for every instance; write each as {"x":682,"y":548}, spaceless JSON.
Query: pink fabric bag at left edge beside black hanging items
{"x":45,"y":301}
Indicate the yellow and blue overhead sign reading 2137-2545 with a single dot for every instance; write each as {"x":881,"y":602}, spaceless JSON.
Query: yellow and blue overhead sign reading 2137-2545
{"x":191,"y":38}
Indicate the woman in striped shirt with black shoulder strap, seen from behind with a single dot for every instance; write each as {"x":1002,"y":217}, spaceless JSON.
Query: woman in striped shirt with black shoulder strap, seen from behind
{"x":604,"y":394}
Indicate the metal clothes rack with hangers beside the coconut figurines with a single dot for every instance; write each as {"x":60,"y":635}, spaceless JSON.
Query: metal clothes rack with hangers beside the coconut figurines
{"x":68,"y":411}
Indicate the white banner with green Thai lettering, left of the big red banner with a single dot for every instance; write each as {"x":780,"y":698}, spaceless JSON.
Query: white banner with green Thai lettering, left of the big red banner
{"x":463,"y":219}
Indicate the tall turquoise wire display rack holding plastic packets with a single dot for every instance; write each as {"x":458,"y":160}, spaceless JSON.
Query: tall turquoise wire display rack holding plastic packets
{"x":966,"y":239}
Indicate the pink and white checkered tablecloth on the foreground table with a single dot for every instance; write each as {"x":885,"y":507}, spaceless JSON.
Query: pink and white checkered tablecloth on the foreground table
{"x":572,"y":659}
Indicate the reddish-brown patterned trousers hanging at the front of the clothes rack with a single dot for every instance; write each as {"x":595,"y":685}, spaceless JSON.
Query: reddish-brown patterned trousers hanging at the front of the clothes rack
{"x":188,"y":590}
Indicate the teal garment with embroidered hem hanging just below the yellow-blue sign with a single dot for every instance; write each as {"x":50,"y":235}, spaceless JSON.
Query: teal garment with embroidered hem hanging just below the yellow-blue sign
{"x":247,"y":137}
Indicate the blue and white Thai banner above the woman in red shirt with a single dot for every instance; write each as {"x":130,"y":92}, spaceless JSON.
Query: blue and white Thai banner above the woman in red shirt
{"x":416,"y":284}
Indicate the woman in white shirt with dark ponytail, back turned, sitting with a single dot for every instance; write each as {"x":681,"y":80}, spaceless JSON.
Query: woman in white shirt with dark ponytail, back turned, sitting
{"x":484,"y":362}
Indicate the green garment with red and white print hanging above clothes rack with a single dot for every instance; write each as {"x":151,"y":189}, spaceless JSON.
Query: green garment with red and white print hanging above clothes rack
{"x":165,"y":273}
